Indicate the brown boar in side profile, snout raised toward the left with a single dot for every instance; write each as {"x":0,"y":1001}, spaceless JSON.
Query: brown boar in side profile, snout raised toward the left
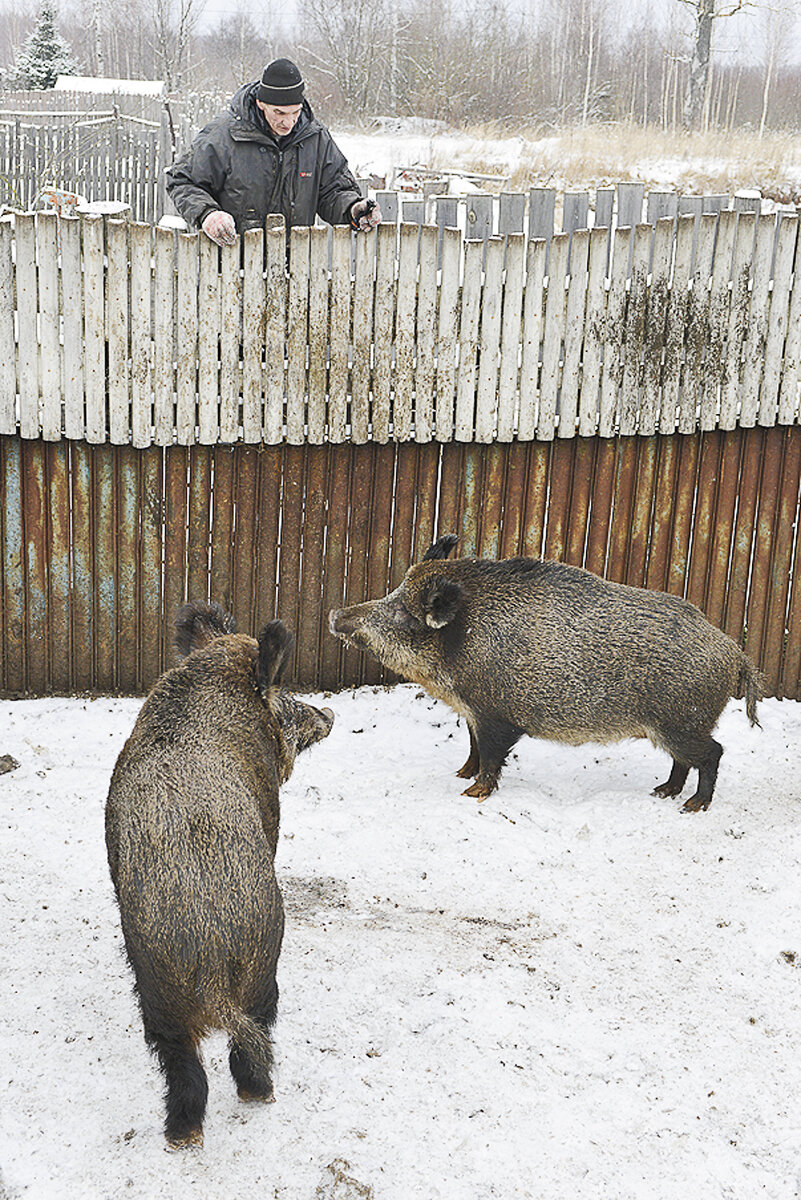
{"x":531,"y":646}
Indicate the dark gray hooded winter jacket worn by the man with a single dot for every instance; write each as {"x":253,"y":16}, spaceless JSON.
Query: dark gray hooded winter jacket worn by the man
{"x":237,"y":165}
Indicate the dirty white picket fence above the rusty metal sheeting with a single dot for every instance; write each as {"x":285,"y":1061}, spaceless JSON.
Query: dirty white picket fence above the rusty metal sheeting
{"x":117,"y":332}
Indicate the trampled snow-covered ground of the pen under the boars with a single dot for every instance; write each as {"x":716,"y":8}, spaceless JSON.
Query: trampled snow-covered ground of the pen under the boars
{"x":571,"y":992}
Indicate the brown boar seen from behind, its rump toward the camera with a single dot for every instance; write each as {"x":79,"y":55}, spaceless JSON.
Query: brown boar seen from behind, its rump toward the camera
{"x":191,"y":831}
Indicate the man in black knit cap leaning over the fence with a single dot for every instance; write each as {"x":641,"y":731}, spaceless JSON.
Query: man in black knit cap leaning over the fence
{"x":267,"y":154}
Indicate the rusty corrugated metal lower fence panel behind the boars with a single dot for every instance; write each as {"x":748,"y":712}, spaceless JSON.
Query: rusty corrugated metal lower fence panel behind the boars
{"x":100,"y":544}
